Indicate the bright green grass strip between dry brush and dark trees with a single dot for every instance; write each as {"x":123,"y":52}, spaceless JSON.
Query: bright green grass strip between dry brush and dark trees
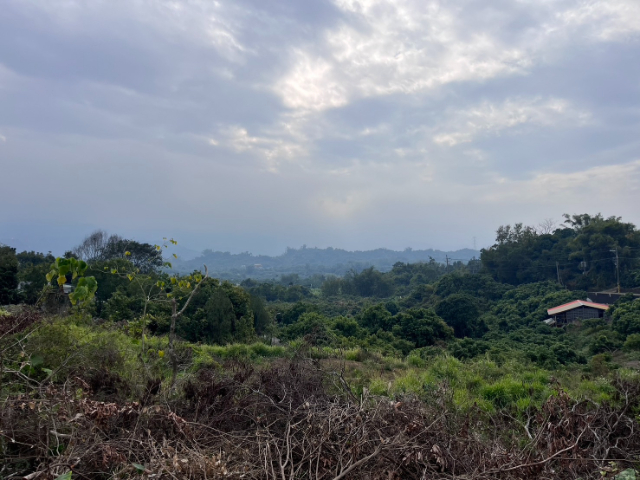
{"x":65,"y":344}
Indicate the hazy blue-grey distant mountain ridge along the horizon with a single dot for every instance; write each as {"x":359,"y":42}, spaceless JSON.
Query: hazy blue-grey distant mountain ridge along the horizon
{"x":308,"y":261}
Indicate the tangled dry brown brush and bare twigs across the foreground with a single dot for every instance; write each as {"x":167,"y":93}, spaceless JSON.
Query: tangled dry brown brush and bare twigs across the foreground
{"x":294,"y":421}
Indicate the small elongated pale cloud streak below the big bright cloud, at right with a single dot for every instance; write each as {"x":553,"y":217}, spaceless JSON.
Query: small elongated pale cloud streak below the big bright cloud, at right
{"x":490,"y":118}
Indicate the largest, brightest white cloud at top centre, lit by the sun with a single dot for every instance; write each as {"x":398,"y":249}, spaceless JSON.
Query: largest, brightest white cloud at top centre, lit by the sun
{"x":386,"y":47}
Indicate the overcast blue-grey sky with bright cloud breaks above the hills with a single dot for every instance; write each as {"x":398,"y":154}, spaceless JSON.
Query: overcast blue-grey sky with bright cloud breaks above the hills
{"x":251,"y":125}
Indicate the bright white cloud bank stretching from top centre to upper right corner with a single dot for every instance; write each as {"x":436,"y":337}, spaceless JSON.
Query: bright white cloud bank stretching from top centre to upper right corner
{"x":385,"y":47}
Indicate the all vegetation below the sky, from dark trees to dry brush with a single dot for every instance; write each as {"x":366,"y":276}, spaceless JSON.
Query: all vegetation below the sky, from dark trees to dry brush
{"x":426,"y":370}
